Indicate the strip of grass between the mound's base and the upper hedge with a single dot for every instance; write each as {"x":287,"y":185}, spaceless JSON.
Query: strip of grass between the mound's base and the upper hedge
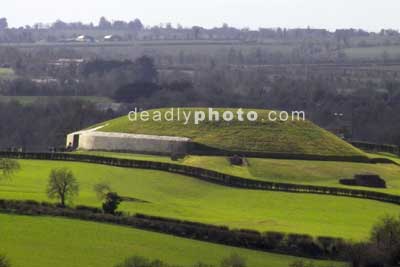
{"x":326,"y":173}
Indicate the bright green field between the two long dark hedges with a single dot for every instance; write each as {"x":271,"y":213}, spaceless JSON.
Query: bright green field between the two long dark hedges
{"x":187,"y":198}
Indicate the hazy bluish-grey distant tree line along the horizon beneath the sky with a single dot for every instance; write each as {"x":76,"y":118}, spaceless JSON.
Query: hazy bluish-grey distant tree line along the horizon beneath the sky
{"x":168,"y":31}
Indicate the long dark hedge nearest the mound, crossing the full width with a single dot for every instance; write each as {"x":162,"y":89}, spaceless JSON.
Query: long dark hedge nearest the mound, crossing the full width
{"x":208,"y":175}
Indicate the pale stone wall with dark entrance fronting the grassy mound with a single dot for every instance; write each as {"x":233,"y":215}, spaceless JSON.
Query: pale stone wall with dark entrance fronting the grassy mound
{"x":105,"y":141}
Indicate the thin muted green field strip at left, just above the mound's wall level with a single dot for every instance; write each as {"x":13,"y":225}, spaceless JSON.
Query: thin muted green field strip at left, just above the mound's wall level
{"x":32,"y":99}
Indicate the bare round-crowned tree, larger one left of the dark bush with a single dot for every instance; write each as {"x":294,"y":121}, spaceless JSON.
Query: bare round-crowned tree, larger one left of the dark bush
{"x":62,"y":185}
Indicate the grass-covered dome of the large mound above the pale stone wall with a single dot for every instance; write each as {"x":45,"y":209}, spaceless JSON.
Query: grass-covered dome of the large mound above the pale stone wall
{"x":261,"y":136}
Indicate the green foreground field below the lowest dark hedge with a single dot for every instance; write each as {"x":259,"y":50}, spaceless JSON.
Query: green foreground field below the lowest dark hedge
{"x":48,"y":242}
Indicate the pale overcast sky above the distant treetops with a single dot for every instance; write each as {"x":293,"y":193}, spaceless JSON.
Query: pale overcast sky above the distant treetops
{"x":366,"y":14}
